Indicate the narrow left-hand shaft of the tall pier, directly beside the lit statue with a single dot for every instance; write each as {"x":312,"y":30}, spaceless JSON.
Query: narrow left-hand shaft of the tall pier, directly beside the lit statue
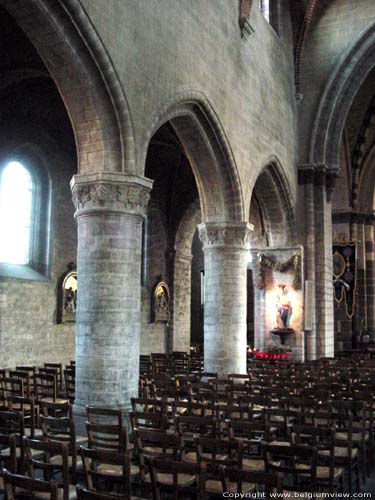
{"x":306,"y":176}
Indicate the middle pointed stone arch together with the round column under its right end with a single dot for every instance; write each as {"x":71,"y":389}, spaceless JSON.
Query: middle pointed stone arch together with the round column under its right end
{"x":224,"y":232}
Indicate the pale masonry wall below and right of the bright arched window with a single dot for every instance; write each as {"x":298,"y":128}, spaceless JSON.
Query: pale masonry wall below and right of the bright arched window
{"x":28,"y":330}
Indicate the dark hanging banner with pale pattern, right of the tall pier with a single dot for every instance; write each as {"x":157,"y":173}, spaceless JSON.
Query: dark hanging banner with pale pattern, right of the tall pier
{"x":344,"y":281}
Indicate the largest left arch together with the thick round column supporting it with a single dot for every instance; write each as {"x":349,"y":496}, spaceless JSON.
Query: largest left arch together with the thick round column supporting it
{"x":109,"y":197}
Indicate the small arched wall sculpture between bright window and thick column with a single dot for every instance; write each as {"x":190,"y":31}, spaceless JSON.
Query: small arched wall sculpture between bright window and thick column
{"x":67,"y":296}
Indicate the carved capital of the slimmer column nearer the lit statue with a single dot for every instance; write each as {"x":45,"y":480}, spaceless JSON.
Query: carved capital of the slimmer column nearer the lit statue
{"x":225,"y":234}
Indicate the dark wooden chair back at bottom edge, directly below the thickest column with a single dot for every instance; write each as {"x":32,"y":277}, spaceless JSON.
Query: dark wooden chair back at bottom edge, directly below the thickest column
{"x":97,"y":466}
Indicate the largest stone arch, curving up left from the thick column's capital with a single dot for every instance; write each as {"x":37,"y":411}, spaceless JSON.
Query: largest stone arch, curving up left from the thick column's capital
{"x":78,"y":63}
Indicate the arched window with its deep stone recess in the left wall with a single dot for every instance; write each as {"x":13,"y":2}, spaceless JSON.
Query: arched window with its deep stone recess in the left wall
{"x":25,"y":198}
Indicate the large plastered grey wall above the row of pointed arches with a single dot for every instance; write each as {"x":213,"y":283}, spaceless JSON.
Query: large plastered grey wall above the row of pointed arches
{"x":172,"y":47}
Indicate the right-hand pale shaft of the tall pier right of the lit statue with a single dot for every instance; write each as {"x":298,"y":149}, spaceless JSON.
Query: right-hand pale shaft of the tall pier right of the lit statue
{"x":323,"y":263}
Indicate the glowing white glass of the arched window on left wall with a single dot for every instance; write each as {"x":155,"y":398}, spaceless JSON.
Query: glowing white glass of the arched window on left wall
{"x":16,"y":193}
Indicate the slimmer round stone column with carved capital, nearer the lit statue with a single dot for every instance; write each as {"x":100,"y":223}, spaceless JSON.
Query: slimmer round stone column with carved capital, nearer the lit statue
{"x":225,"y":247}
